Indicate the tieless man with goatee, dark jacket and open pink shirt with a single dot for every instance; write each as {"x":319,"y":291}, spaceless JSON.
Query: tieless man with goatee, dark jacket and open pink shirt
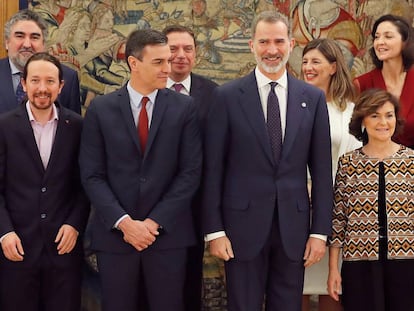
{"x":43,"y":208}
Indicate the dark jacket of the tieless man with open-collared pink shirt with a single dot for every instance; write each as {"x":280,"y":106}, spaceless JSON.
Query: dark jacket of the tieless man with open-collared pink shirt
{"x":35,"y":202}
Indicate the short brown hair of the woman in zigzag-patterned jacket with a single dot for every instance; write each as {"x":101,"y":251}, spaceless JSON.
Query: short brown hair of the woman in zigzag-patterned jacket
{"x":368,"y":103}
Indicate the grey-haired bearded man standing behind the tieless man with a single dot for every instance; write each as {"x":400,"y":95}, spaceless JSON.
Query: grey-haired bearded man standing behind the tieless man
{"x":25,"y":33}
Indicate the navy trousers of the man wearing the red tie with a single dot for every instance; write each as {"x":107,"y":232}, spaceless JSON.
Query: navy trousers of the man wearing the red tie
{"x":148,"y":280}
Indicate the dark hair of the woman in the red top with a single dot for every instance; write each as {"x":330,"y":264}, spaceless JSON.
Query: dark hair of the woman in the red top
{"x":406,"y":32}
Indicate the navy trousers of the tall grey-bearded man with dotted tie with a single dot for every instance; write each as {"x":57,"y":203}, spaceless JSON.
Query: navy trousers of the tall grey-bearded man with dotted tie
{"x":269,"y":278}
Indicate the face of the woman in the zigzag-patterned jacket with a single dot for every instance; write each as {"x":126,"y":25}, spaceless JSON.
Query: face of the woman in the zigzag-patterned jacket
{"x":380,"y":125}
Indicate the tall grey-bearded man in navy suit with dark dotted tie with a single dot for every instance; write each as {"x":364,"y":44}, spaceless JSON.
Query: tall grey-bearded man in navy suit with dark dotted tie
{"x":263,"y":132}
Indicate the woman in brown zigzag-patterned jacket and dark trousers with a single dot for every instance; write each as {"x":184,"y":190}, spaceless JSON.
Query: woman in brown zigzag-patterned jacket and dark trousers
{"x":373,"y":216}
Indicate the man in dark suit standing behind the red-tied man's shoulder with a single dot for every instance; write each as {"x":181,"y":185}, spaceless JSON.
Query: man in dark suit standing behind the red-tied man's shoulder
{"x":183,"y":54}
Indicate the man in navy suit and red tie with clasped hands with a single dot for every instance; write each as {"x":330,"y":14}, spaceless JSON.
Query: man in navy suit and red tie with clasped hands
{"x":140,"y":164}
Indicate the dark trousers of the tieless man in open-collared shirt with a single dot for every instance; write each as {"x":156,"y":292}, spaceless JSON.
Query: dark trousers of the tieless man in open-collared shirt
{"x":42,"y":288}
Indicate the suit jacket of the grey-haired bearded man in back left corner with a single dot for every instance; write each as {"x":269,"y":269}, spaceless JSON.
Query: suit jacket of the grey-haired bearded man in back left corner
{"x":69,"y":97}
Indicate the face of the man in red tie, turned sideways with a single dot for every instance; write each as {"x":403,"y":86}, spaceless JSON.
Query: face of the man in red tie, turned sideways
{"x":152,"y":71}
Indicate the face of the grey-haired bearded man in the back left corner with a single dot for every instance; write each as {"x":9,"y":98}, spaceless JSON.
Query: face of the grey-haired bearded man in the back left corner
{"x":26,"y":38}
